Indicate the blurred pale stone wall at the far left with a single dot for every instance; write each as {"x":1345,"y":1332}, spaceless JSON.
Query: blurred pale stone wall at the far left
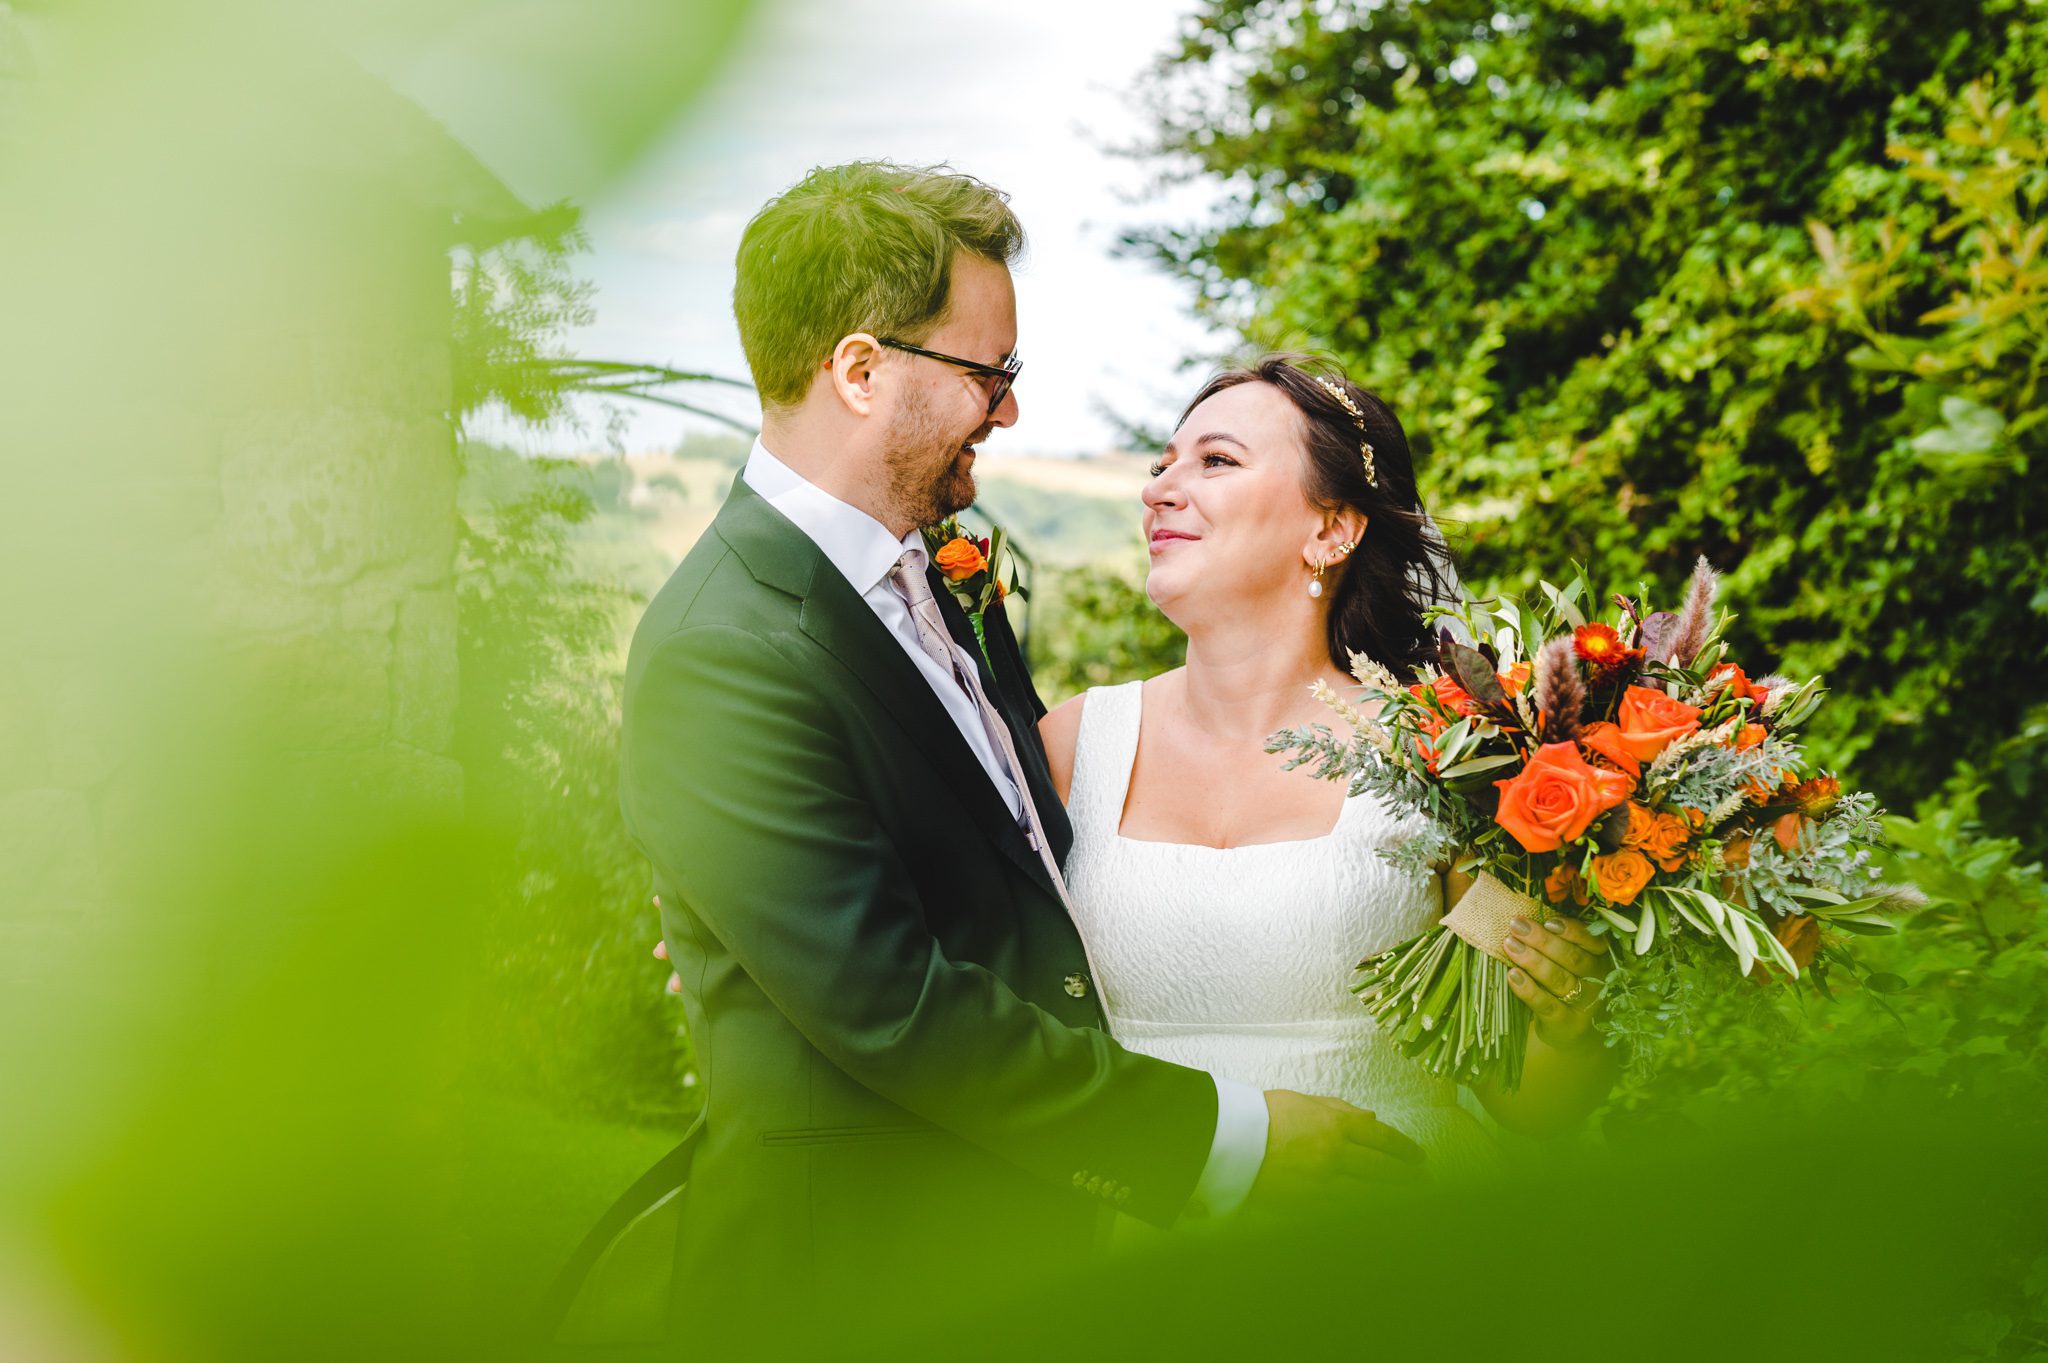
{"x":243,"y":484}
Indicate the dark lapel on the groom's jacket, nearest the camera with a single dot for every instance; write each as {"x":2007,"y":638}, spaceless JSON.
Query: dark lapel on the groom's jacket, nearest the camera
{"x":833,"y":613}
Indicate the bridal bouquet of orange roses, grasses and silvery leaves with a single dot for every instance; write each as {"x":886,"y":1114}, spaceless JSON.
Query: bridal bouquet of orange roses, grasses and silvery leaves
{"x":1623,"y":773}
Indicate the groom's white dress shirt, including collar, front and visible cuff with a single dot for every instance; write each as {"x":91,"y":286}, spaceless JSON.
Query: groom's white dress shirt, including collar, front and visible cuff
{"x":865,"y":554}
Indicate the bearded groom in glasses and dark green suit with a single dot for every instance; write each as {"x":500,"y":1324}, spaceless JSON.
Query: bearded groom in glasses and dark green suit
{"x":855,"y":842}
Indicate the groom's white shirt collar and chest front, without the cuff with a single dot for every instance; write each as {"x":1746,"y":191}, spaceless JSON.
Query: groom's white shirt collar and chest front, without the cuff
{"x":865,"y":554}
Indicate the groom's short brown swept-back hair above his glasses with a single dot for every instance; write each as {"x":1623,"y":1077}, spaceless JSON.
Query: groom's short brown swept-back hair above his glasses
{"x":859,"y":249}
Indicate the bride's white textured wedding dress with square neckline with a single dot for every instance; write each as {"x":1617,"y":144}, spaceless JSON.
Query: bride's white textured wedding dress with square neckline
{"x":1238,"y":961}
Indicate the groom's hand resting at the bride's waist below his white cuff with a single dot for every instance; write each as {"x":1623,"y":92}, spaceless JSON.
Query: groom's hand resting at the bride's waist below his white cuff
{"x":1318,"y":1145}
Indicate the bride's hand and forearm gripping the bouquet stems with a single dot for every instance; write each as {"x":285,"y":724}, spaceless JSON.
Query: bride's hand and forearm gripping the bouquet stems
{"x":1568,"y":1071}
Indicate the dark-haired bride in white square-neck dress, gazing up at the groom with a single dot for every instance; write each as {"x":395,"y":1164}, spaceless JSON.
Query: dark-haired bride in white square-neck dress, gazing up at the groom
{"x":1224,"y":899}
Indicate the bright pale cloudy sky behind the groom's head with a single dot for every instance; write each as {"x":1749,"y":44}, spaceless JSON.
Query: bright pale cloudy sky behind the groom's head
{"x":1029,"y":97}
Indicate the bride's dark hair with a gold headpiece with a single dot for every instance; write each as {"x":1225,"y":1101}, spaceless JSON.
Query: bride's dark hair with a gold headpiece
{"x":1402,"y":564}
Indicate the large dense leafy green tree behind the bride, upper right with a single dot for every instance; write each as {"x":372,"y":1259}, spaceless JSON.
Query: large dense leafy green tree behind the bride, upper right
{"x":1644,"y":281}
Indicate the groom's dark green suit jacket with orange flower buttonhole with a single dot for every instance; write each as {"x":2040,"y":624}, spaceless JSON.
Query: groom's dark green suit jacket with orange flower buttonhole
{"x":906,"y":1071}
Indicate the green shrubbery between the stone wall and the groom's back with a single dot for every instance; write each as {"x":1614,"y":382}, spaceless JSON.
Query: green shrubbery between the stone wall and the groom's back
{"x":572,"y":1000}
